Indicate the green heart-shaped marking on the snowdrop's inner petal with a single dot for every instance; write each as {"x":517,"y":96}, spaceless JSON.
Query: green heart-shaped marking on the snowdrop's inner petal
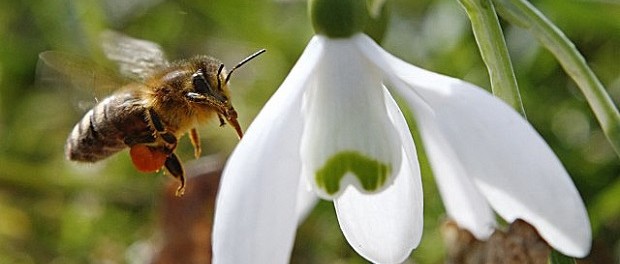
{"x":371,"y":173}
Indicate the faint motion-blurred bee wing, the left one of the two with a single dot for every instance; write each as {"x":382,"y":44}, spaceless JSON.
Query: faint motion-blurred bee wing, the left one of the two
{"x":83,"y":81}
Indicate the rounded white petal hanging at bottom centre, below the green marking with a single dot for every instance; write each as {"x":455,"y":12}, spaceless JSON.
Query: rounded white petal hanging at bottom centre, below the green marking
{"x":385,"y":227}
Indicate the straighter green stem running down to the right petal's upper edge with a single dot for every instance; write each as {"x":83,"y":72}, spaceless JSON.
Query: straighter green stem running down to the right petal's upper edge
{"x":492,"y":45}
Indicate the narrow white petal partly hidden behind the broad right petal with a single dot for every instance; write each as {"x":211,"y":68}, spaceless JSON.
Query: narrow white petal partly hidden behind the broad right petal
{"x":463,"y":202}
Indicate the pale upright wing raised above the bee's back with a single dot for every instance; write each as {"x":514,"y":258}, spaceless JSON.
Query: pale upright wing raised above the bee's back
{"x":136,"y":58}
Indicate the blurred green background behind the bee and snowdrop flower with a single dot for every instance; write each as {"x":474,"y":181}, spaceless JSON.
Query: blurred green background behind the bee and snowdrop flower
{"x":55,"y":211}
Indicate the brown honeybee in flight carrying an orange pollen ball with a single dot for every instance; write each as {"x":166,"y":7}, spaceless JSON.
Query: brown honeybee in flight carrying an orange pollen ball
{"x":162,"y":102}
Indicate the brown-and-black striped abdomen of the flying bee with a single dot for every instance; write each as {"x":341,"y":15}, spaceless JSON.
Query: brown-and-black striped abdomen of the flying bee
{"x":102,"y":131}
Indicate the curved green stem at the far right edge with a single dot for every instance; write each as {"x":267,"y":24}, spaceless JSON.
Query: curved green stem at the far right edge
{"x":523,"y":14}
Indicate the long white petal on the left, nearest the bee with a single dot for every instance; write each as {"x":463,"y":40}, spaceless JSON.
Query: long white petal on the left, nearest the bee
{"x":255,"y":217}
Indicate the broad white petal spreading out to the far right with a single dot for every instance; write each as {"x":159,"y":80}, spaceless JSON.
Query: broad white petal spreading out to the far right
{"x":506,"y":158}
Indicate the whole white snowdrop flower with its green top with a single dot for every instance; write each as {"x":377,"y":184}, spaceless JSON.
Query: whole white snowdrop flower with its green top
{"x":333,"y":130}
